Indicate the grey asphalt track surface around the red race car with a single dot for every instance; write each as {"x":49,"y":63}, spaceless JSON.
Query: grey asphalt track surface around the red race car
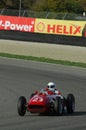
{"x":18,"y":77}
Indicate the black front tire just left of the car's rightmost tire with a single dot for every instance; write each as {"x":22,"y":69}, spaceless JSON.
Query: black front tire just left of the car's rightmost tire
{"x":58,"y":107}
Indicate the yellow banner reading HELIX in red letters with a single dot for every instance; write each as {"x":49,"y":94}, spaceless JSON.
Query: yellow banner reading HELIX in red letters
{"x":60,"y":27}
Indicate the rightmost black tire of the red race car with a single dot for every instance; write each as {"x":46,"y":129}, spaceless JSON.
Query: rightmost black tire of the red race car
{"x":70,"y":103}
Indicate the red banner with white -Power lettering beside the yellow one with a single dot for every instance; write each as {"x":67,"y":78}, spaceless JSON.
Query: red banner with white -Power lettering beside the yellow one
{"x":17,"y":23}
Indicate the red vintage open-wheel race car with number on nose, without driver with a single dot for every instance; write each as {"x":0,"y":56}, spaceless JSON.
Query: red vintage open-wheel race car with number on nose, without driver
{"x":44,"y":103}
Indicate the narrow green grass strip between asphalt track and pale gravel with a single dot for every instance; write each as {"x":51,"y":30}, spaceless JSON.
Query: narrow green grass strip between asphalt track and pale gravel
{"x":42,"y":59}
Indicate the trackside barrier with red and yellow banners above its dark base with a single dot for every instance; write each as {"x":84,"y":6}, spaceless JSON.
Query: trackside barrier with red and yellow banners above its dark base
{"x":53,"y":31}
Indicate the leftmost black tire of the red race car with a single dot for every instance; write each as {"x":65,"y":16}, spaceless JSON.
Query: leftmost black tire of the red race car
{"x":21,"y":106}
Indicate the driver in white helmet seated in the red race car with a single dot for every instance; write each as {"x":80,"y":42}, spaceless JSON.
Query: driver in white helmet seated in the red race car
{"x":51,"y":89}
